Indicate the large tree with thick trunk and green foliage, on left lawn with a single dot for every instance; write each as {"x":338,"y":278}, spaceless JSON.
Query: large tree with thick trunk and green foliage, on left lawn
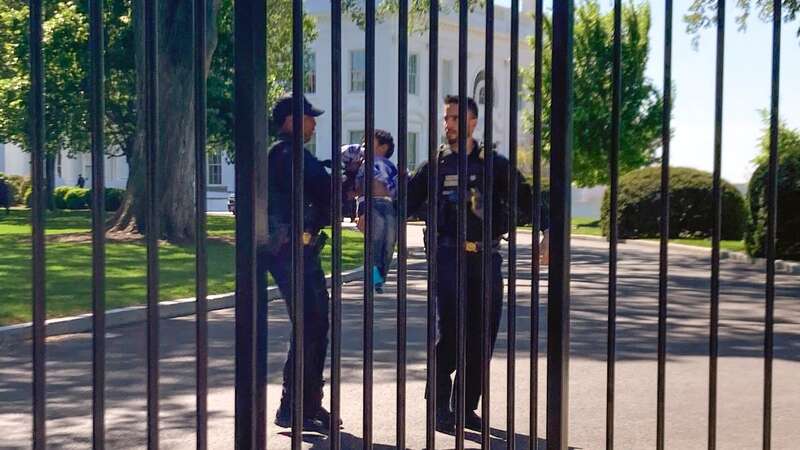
{"x":66,"y":91}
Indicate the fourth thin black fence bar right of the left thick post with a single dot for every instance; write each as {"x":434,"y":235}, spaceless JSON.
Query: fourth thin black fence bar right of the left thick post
{"x":402,"y":247}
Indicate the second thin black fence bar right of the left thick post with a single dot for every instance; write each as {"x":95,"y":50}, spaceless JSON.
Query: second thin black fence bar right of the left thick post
{"x":336,"y":251}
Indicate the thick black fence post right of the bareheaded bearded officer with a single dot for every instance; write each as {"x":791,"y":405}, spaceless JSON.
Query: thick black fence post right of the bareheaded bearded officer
{"x":561,"y":176}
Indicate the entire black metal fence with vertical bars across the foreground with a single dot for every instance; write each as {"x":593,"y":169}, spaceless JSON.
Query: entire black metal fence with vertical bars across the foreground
{"x":251,"y":226}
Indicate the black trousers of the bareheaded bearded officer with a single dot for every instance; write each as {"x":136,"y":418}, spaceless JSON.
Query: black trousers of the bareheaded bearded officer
{"x":446,"y":321}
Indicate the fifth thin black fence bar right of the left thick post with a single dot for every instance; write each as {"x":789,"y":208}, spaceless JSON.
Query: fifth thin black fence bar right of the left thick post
{"x":432,"y":219}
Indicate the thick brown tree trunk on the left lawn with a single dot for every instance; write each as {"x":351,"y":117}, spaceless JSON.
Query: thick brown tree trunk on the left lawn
{"x":175,"y":154}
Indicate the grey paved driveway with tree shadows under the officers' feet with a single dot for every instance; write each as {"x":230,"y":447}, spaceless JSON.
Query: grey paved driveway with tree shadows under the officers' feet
{"x":740,"y":368}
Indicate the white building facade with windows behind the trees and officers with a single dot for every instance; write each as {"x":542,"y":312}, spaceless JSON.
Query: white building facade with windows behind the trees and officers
{"x":318,"y":90}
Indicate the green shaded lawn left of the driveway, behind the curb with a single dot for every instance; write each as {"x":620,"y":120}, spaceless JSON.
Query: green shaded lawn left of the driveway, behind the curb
{"x":69,"y":266}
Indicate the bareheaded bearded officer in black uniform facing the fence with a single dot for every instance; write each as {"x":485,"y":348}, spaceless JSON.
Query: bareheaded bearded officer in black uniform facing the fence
{"x":447,"y":287}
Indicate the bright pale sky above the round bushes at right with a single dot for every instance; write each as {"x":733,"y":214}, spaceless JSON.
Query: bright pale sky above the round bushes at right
{"x":747,"y":74}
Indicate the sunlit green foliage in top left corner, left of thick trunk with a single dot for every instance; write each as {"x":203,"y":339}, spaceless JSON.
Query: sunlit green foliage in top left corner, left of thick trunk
{"x":65,"y":46}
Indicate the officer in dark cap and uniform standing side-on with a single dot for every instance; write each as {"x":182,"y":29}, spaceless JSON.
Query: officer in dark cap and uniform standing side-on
{"x":277,"y":257}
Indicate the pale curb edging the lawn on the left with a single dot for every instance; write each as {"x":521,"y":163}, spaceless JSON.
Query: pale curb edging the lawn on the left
{"x":133,"y":314}
